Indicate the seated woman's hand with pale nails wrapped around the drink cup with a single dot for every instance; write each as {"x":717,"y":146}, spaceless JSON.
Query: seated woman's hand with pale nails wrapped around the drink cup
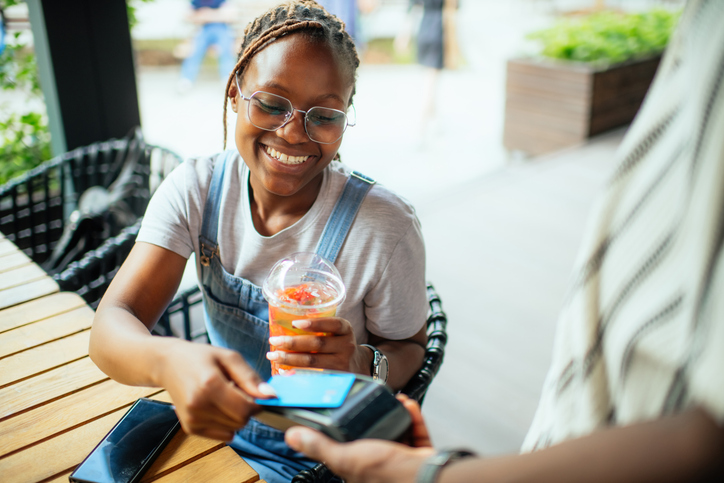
{"x":336,"y":350}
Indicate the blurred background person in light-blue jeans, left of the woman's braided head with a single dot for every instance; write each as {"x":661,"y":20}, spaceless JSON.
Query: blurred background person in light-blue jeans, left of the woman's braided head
{"x":214,"y":18}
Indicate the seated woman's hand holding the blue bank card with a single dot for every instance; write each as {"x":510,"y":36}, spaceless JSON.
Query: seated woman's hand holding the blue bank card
{"x":212,"y":388}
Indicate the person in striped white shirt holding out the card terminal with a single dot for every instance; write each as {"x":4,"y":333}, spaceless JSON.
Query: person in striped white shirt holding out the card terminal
{"x":635,"y":390}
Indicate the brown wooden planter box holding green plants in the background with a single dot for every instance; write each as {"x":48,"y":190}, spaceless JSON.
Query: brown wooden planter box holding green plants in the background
{"x":551,"y":105}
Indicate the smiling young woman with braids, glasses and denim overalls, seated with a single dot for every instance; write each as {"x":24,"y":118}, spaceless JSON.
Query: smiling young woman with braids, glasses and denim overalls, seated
{"x":242,"y":210}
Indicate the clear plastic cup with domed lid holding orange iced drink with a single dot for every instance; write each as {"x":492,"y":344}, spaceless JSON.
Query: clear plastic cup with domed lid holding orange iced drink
{"x":301,"y":286}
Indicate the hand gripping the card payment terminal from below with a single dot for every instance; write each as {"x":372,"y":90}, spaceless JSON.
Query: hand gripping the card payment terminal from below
{"x":368,"y":460}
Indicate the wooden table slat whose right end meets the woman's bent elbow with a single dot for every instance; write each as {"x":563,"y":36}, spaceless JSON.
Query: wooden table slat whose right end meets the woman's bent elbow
{"x":44,"y":357}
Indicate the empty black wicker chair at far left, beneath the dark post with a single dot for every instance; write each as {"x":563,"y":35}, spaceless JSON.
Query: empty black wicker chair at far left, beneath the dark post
{"x":41,"y":210}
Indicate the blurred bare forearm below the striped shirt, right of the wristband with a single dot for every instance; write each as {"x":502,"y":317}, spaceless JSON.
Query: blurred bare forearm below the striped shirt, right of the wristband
{"x":686,"y":447}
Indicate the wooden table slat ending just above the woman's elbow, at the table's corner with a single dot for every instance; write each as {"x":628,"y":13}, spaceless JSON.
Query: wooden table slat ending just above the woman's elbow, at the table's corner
{"x":44,"y":331}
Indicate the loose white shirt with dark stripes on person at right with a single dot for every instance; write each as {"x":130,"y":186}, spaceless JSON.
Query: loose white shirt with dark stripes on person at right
{"x":641,"y":334}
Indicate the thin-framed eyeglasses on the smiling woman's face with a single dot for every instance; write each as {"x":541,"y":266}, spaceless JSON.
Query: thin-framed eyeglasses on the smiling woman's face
{"x":271,"y":112}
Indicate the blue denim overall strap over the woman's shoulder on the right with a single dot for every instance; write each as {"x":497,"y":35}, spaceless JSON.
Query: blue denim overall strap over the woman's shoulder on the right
{"x":343,"y":214}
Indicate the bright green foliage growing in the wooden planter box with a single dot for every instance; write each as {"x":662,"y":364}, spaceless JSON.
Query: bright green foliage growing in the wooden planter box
{"x":608,"y":36}
